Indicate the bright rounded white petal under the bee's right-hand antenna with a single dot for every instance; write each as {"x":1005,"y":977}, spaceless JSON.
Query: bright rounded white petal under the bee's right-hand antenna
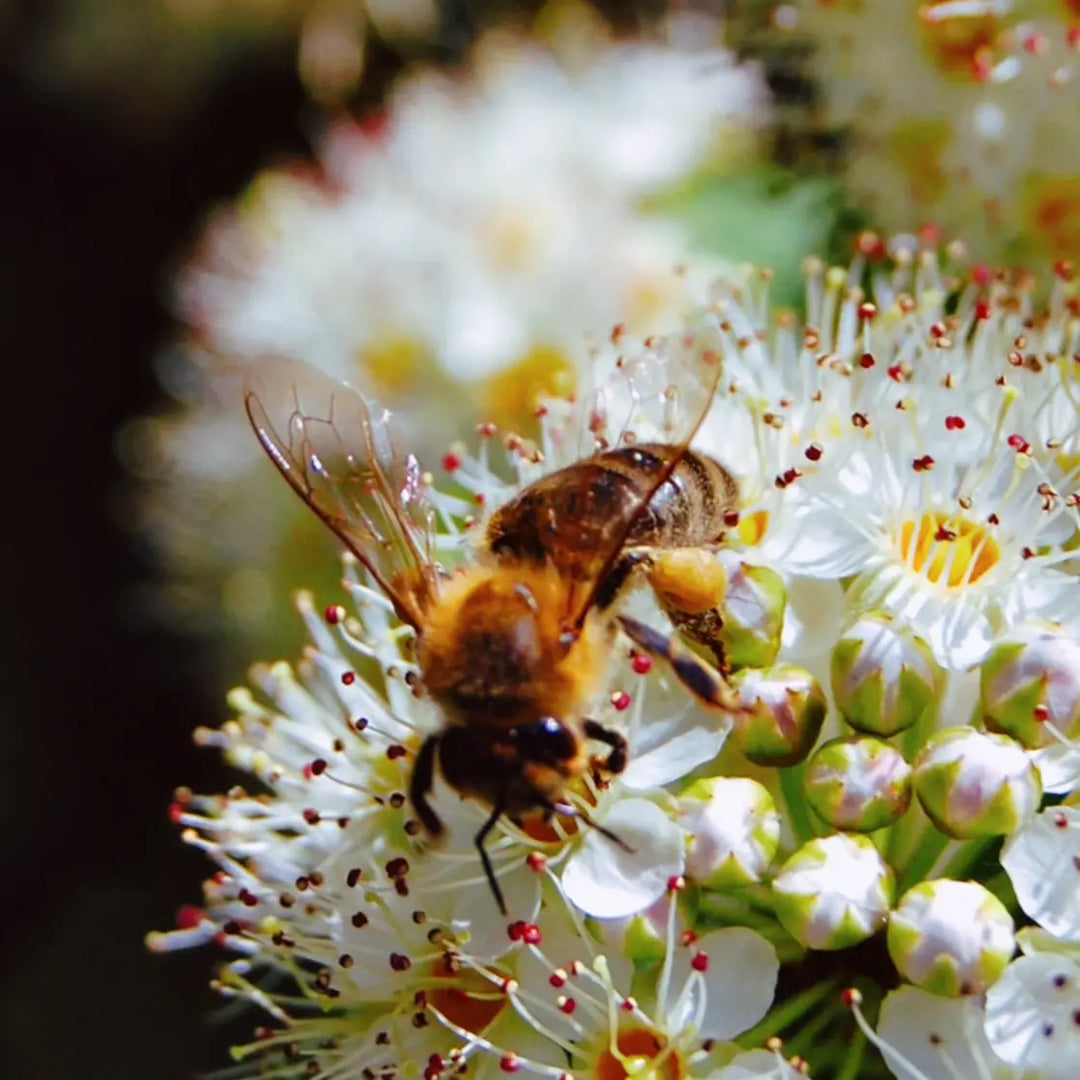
{"x":610,"y":882}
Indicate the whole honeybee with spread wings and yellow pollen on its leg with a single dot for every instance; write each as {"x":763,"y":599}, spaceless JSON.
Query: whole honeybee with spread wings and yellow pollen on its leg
{"x":514,"y":650}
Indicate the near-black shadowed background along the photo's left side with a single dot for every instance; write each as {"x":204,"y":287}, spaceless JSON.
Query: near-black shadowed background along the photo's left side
{"x":99,"y":703}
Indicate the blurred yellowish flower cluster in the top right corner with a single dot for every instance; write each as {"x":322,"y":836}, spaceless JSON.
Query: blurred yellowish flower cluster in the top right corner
{"x":953,"y":113}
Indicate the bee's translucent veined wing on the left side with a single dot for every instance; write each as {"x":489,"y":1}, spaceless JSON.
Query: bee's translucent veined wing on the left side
{"x":337,"y":453}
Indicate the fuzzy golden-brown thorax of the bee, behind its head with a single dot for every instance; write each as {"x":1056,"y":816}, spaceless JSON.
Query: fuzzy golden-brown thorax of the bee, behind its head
{"x":493,"y":650}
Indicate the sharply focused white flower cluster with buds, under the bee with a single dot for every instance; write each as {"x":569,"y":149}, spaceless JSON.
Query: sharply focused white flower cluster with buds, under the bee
{"x":842,"y":862}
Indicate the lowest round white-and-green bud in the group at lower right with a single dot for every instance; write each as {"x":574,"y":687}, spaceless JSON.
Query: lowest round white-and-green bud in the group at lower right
{"x":951,"y":938}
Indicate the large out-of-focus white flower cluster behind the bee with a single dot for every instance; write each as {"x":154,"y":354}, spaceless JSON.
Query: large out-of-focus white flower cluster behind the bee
{"x":450,"y":254}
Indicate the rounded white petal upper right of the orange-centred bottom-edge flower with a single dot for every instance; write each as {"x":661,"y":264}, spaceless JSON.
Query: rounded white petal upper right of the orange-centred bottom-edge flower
{"x":735,"y":992}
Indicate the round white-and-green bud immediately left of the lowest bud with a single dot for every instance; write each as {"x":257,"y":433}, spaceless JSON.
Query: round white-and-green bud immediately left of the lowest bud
{"x":834,"y":893}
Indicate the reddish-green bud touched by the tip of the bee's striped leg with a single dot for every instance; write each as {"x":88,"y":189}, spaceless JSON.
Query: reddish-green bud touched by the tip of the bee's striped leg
{"x":787,"y":712}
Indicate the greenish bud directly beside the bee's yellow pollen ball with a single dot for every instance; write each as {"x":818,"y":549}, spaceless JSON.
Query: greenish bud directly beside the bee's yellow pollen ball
{"x":753,"y":613}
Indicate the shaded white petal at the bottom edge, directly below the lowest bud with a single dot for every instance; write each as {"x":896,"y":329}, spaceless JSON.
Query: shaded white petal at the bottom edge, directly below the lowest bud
{"x":942,"y":1038}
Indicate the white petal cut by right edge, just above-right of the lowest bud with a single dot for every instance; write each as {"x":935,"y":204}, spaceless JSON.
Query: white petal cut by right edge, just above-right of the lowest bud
{"x":1043,"y":861}
